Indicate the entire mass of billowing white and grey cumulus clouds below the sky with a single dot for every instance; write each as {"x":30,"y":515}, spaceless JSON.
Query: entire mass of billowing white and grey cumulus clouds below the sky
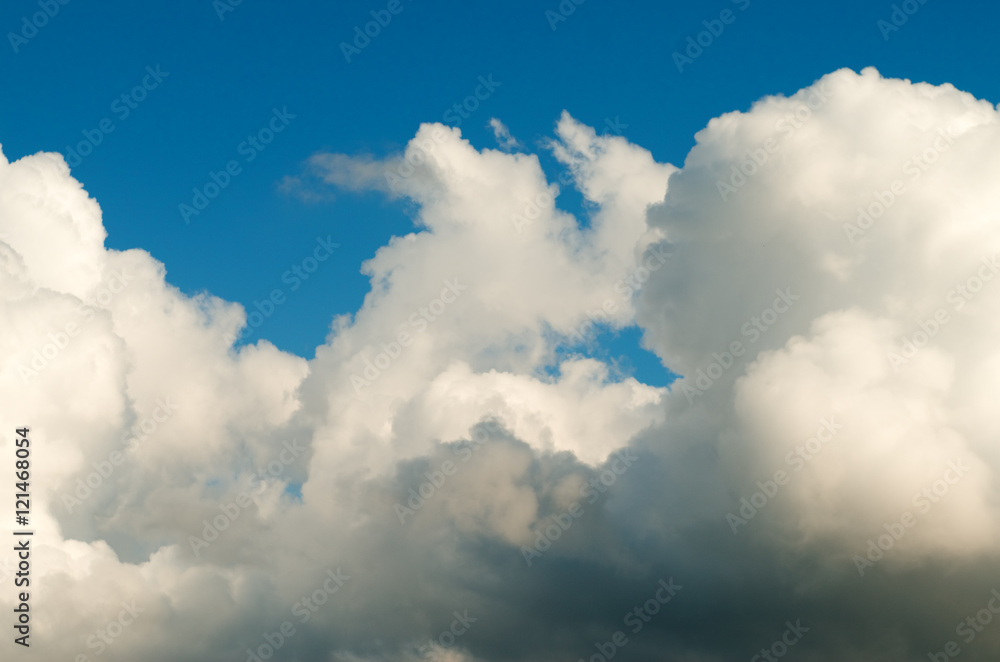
{"x":443,"y":481}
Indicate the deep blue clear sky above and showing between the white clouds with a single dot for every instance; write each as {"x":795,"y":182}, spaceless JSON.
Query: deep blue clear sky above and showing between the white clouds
{"x":222,"y":80}
